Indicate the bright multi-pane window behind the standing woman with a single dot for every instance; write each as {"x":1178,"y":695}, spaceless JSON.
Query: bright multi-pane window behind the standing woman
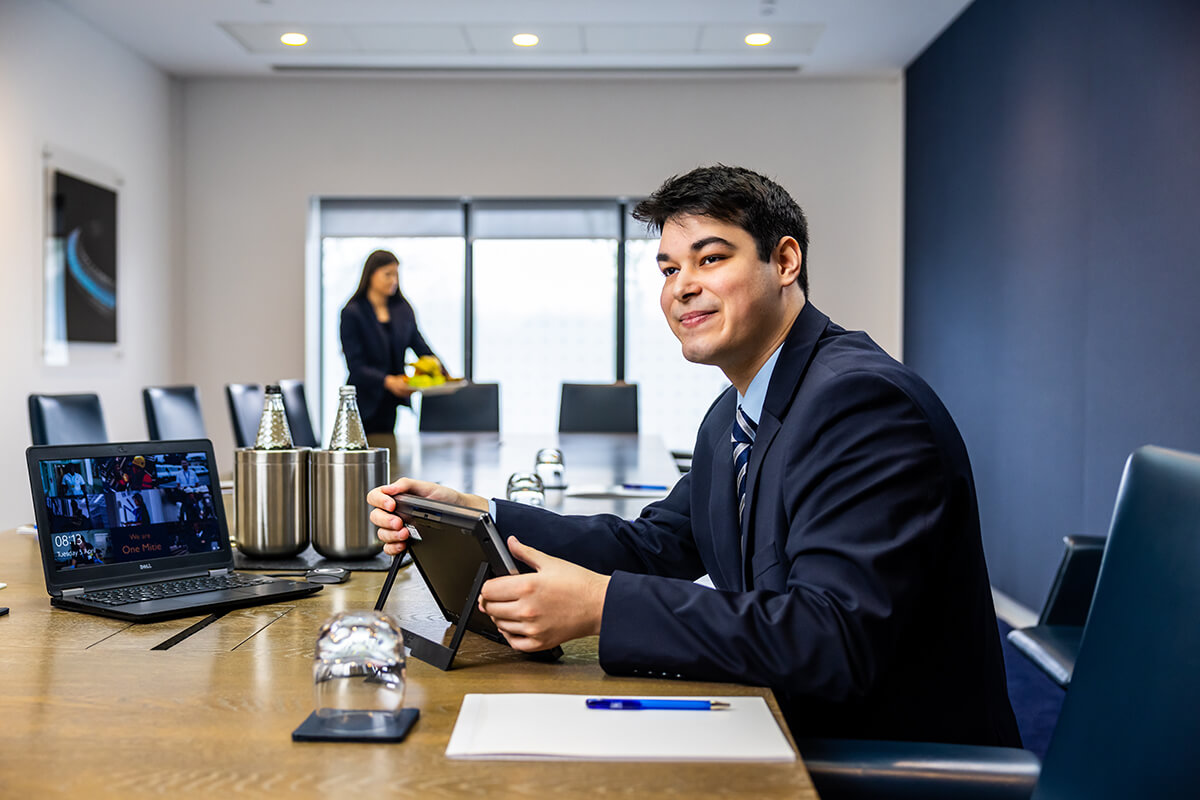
{"x":545,"y":300}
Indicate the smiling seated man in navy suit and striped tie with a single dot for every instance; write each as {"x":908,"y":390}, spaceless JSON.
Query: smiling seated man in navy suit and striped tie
{"x":831,"y":501}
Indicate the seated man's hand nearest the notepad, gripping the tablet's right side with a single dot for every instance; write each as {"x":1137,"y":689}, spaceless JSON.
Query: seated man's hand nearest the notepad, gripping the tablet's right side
{"x":537,"y":611}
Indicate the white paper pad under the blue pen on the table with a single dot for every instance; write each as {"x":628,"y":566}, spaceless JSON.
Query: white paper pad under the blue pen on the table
{"x":536,"y":727}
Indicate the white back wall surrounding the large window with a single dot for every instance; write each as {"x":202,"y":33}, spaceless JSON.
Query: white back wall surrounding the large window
{"x":257,"y":151}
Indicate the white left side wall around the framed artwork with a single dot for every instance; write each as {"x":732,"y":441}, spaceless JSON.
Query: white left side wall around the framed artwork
{"x":65,"y":85}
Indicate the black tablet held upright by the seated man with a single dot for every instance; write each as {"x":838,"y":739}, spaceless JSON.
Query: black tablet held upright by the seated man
{"x":448,"y":544}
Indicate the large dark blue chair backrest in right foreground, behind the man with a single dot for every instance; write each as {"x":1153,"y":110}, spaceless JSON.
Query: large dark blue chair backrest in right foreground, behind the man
{"x":1130,"y":724}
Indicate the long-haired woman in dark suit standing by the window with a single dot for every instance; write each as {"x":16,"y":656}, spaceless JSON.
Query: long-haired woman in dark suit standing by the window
{"x":379,"y":329}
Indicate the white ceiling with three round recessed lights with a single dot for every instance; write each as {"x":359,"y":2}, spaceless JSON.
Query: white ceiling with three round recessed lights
{"x":242,"y":38}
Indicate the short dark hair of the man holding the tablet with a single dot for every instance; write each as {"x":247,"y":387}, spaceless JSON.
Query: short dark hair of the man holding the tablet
{"x":737,"y":196}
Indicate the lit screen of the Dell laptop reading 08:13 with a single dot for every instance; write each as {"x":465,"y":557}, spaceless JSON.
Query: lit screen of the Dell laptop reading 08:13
{"x":130,"y":508}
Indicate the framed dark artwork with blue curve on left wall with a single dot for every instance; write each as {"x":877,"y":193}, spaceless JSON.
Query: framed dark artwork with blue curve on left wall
{"x":81,"y":258}
